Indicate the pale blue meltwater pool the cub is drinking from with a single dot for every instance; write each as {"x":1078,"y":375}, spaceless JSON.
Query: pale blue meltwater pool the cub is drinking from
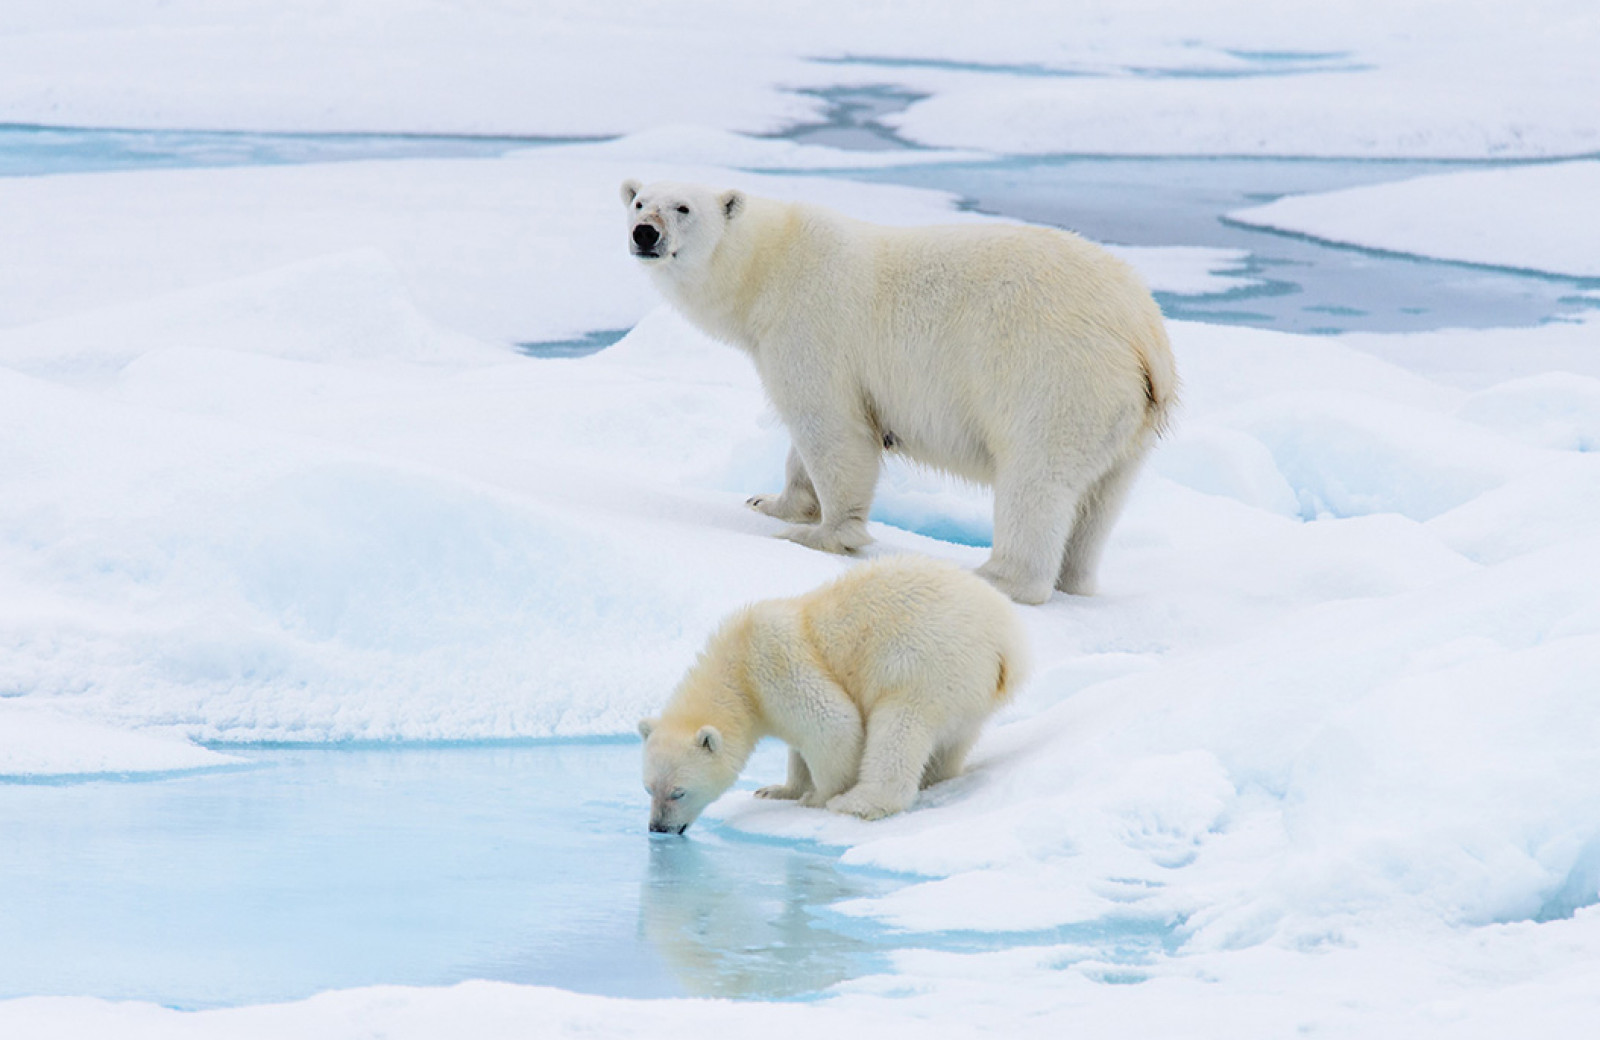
{"x":311,"y":870}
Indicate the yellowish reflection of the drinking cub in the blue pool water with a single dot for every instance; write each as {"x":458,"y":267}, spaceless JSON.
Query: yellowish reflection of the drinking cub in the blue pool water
{"x":740,"y":921}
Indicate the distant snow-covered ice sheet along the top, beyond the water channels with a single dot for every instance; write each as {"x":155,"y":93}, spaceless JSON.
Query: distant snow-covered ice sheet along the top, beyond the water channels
{"x":1137,"y":78}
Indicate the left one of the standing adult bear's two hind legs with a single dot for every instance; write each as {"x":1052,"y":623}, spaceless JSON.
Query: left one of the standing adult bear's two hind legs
{"x":1033,"y":518}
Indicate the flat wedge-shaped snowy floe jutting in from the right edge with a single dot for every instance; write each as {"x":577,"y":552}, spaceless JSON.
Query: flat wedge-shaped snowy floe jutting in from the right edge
{"x":1511,"y":217}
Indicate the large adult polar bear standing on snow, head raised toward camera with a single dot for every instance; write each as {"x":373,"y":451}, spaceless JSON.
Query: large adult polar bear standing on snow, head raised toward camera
{"x":1018,"y":358}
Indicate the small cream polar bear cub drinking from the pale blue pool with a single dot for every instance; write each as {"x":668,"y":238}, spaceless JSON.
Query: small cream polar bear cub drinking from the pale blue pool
{"x":879,"y":684}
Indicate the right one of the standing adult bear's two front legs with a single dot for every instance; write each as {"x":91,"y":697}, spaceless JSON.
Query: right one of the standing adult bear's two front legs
{"x":842,"y":457}
